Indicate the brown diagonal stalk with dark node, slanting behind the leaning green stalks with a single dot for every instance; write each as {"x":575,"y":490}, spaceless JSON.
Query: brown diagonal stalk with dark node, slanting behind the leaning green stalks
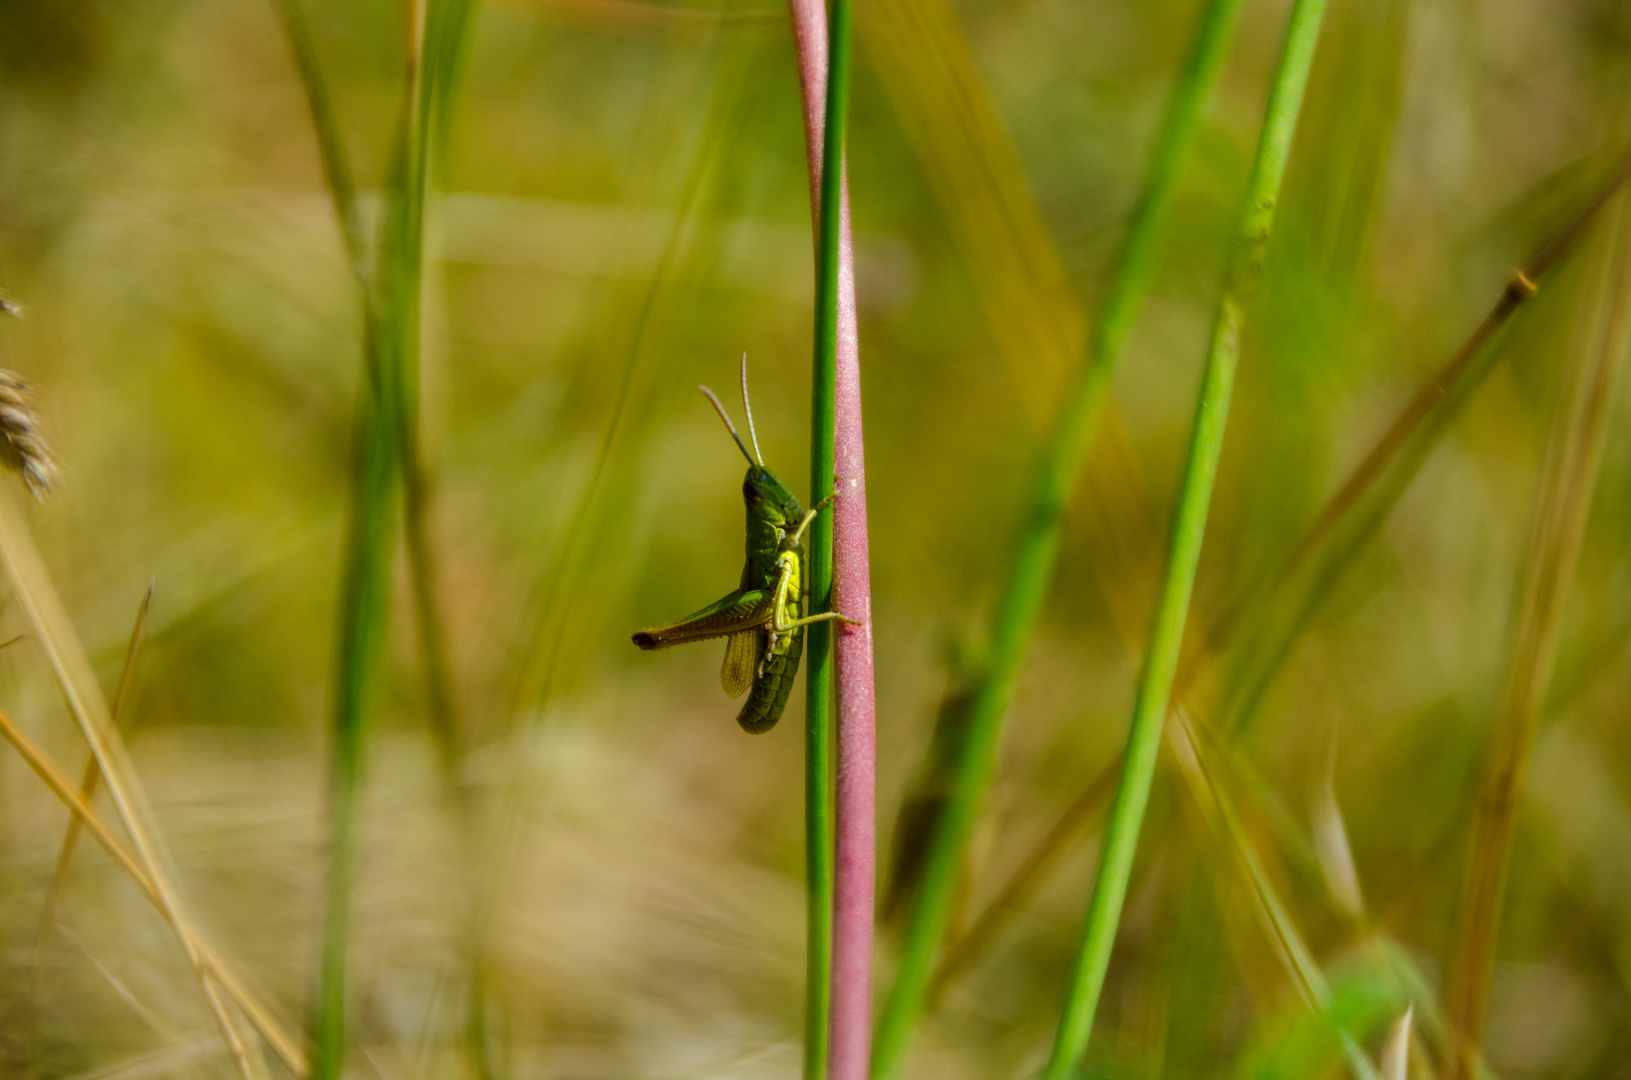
{"x":1348,"y":520}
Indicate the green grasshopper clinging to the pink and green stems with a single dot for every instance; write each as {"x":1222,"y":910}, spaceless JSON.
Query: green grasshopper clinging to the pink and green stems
{"x":764,"y":619}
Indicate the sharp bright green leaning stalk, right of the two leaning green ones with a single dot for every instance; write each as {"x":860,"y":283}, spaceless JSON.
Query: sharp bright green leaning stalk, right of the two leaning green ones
{"x":1156,"y":683}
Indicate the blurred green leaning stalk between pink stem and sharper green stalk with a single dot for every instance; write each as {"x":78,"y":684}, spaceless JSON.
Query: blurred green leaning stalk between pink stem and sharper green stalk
{"x":1028,"y":582}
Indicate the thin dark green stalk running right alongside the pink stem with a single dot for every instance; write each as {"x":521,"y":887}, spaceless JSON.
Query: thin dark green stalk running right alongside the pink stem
{"x":818,"y":686}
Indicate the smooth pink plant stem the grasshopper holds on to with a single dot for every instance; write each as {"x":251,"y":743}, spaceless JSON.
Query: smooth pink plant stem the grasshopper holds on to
{"x":855,"y":810}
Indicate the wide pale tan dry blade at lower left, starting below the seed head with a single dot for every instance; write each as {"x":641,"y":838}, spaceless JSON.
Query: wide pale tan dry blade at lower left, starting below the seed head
{"x":38,"y":598}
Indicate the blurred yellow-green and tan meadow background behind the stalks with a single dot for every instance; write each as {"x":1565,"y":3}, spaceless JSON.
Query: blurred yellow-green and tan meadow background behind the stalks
{"x":624,"y":213}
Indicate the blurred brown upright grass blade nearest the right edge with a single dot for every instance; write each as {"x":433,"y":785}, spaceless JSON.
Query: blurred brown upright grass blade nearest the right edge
{"x":1562,"y":505}
